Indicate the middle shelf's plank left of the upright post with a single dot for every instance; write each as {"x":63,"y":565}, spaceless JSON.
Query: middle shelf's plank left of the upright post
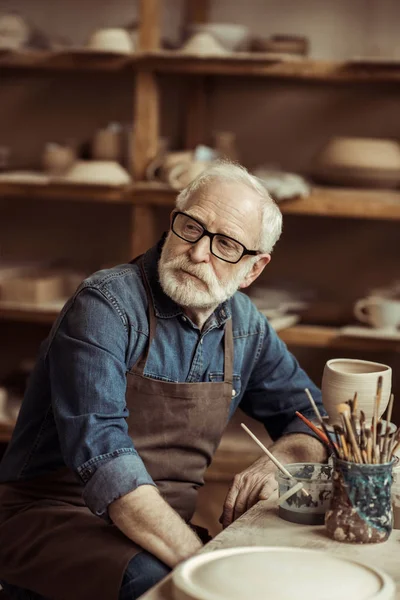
{"x":63,"y":191}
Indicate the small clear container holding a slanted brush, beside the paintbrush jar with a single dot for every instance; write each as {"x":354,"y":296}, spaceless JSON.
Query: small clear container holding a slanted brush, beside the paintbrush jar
{"x":299,"y":508}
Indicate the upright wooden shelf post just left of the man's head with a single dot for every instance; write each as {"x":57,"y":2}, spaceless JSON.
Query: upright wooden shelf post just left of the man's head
{"x":145,"y":125}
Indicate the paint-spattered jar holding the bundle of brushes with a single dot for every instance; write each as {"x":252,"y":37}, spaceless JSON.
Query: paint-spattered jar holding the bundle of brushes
{"x":361,"y":504}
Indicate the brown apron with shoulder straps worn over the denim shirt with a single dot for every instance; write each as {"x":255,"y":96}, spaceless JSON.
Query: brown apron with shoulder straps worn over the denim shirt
{"x":52,"y":544}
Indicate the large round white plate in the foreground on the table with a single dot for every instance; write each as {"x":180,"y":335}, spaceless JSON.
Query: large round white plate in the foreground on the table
{"x":269,"y":573}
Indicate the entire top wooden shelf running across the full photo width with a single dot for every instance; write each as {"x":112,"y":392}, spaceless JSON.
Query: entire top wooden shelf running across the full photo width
{"x":247,"y":64}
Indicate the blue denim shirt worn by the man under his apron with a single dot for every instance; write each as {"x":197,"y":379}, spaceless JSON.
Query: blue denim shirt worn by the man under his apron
{"x":74,"y":410}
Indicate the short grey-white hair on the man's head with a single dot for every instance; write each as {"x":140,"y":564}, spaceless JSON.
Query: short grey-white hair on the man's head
{"x":271,"y":216}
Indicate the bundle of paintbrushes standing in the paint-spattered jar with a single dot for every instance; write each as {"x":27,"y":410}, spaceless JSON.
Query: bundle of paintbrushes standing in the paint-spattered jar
{"x":355,"y":440}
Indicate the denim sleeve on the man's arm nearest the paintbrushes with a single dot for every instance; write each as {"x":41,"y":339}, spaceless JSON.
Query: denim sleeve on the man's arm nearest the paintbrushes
{"x":276,"y":389}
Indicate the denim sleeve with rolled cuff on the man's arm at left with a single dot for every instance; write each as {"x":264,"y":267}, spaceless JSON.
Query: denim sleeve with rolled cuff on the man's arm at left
{"x":87,"y":373}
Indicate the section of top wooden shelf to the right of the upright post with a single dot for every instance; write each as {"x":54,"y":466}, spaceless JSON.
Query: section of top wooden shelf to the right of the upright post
{"x":254,"y":64}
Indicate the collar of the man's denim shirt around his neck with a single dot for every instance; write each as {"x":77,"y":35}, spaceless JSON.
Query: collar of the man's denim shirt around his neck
{"x":164,"y":306}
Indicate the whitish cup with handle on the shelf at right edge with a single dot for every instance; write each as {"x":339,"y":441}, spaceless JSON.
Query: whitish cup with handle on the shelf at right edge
{"x":382,"y":313}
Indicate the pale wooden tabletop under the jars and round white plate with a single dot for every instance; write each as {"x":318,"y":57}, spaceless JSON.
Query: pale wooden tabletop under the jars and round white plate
{"x":261,"y":526}
